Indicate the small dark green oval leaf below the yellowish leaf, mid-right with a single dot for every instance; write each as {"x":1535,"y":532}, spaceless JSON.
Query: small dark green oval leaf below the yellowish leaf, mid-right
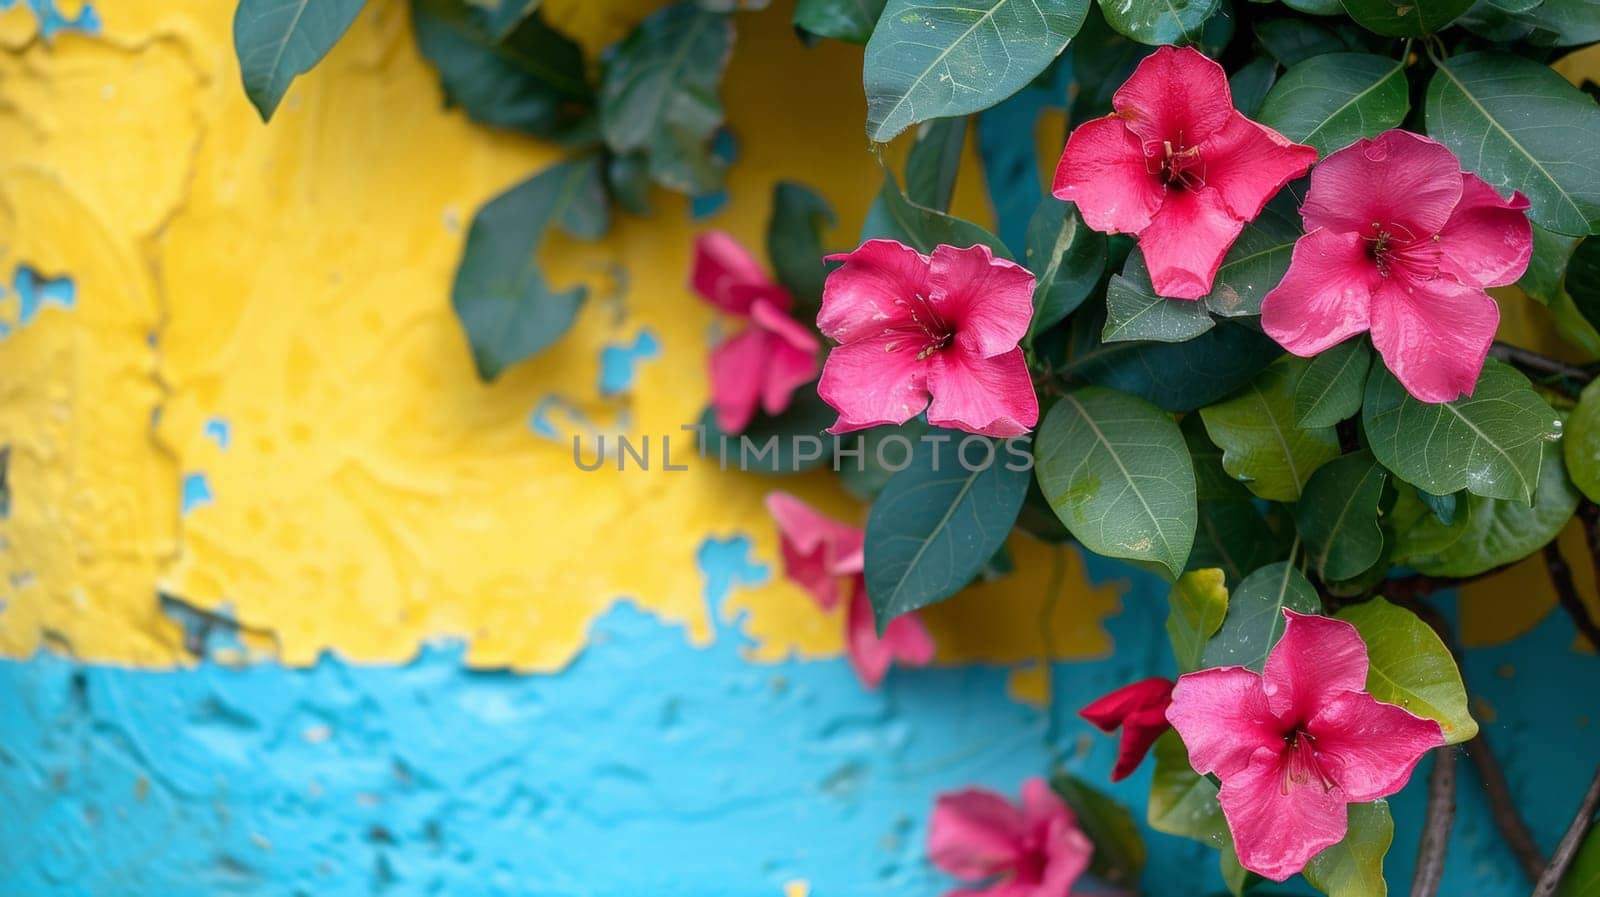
{"x":1338,"y":517}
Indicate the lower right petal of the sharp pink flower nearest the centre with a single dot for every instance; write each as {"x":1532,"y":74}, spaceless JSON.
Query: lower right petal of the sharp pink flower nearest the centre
{"x":982,"y":396}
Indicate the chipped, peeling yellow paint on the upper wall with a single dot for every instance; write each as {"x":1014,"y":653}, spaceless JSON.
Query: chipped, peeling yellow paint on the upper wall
{"x":294,"y":281}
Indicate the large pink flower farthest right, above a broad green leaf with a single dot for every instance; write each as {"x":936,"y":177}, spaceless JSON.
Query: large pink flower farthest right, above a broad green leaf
{"x":1401,"y":242}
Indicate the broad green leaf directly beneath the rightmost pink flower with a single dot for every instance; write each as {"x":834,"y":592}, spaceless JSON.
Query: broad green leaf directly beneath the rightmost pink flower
{"x":1487,"y":444}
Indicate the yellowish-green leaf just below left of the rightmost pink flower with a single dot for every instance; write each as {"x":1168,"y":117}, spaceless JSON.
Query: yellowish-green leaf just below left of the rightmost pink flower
{"x":1262,"y":445}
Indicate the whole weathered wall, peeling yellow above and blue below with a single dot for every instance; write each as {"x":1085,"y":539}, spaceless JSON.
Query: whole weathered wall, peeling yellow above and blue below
{"x":294,"y":605}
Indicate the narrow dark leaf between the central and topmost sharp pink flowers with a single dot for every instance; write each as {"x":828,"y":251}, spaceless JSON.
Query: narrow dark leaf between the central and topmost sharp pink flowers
{"x":1066,"y":257}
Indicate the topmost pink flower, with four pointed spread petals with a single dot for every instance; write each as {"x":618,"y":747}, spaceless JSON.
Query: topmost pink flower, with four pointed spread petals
{"x":1177,"y":165}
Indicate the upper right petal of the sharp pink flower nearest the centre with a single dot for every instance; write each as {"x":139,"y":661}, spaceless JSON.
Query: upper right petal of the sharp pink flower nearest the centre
{"x":988,"y":301}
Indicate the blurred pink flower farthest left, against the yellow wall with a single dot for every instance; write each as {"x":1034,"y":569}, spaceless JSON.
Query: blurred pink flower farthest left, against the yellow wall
{"x":766,"y":362}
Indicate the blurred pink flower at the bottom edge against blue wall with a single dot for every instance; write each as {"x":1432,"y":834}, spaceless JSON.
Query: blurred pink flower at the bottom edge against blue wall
{"x":1031,"y":851}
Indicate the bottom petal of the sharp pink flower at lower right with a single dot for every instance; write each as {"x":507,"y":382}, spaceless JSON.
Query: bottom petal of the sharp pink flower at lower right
{"x":1279,"y":827}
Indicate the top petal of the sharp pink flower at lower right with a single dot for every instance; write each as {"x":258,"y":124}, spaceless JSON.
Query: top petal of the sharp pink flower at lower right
{"x":1316,"y":661}
